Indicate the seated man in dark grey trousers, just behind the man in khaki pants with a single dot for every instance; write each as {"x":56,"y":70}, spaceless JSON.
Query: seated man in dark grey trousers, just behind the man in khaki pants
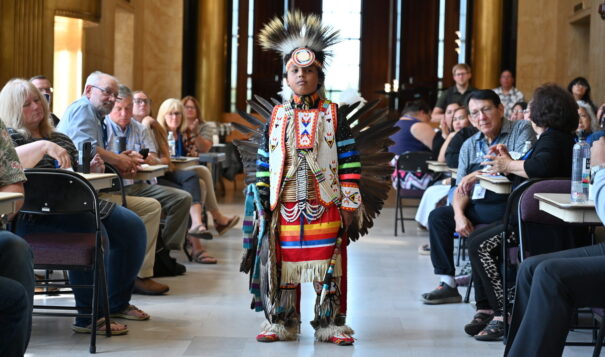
{"x":175,"y":202}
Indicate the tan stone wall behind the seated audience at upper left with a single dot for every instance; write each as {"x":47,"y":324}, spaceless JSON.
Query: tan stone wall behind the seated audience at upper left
{"x":149,"y":56}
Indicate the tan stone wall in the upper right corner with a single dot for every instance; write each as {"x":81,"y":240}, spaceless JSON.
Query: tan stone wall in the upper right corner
{"x":556,"y":44}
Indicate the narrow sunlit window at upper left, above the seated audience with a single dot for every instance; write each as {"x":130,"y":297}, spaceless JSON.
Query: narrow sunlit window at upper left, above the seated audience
{"x":67,"y":71}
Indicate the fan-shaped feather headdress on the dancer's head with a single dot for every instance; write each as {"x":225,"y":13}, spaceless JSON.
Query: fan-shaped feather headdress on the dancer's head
{"x":299,"y":31}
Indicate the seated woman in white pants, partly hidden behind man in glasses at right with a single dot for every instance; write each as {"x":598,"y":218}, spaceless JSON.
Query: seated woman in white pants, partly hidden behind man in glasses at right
{"x":434,"y":194}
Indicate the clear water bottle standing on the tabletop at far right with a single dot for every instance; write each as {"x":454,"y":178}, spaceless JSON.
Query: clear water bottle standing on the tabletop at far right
{"x":580,"y":170}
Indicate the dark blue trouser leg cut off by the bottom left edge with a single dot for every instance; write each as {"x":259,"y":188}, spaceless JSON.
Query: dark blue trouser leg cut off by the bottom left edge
{"x":16,"y":294}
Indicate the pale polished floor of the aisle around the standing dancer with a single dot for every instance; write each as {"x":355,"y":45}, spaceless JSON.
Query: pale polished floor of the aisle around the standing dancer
{"x":206,"y":312}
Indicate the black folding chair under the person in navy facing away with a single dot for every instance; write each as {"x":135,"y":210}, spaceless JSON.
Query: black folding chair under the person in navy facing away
{"x":411,"y":161}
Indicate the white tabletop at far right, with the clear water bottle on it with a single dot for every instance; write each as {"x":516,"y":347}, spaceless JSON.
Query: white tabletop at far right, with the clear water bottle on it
{"x":560,"y":206}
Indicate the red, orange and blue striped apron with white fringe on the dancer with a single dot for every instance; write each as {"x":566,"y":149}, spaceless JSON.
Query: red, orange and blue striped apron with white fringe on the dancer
{"x":305,"y":248}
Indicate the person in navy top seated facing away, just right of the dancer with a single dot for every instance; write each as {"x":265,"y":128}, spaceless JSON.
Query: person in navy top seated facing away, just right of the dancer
{"x":415,"y":134}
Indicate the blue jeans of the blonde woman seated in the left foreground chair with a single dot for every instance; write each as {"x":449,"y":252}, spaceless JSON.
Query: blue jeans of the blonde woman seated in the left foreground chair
{"x":125,"y":233}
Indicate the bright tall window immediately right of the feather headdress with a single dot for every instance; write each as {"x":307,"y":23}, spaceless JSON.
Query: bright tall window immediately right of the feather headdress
{"x":343,"y":68}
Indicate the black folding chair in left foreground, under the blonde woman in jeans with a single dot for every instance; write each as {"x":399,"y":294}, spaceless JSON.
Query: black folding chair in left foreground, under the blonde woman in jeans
{"x":59,"y":192}
